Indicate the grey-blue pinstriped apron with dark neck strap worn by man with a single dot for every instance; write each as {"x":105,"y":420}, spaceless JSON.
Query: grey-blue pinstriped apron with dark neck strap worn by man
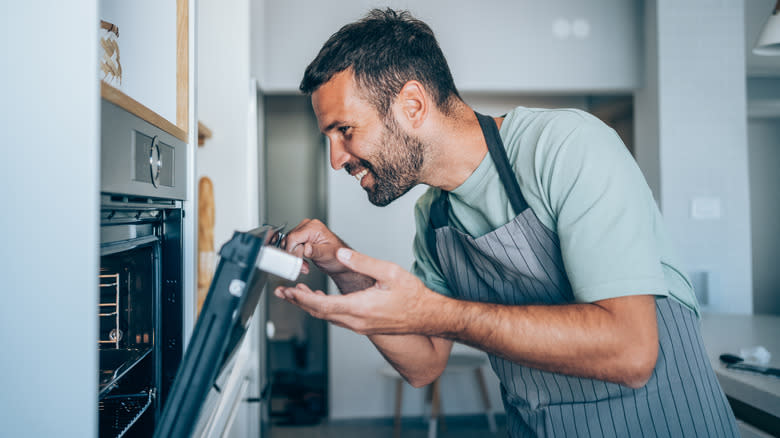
{"x":520,"y":263}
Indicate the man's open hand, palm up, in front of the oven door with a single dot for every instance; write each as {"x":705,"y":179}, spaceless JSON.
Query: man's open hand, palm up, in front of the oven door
{"x":398,"y":303}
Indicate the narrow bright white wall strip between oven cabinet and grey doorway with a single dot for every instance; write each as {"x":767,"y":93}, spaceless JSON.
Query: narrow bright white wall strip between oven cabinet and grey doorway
{"x":223,"y":97}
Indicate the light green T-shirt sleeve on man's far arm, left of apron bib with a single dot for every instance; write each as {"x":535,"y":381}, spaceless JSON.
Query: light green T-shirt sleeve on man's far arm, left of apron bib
{"x":425,"y":266}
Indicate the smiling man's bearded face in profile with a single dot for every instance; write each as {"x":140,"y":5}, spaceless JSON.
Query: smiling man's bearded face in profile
{"x":385,"y":160}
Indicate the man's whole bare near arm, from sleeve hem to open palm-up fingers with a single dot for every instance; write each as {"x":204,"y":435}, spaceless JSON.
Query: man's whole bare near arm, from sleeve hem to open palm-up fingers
{"x":614,"y":340}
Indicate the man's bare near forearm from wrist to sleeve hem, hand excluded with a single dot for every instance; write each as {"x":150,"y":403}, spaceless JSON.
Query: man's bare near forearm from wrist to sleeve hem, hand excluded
{"x":600,"y":341}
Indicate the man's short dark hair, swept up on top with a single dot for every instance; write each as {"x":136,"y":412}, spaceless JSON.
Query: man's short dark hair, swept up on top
{"x":385,"y":50}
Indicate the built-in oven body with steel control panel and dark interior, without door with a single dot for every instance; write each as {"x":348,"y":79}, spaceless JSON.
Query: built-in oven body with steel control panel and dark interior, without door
{"x":140,"y":306}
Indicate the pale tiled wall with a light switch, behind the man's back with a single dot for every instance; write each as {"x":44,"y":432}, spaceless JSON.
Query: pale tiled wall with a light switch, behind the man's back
{"x":692,"y":138}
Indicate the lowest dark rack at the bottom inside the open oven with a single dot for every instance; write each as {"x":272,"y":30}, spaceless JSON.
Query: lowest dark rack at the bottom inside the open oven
{"x":125,"y":410}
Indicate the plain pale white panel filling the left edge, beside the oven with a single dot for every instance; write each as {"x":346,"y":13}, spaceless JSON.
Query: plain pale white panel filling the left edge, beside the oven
{"x":49,"y":178}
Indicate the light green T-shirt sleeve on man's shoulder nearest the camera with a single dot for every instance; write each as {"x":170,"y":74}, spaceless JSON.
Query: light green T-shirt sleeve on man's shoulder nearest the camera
{"x":604,"y":213}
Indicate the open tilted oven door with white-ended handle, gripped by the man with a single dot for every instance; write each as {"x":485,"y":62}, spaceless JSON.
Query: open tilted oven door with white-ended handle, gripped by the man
{"x":234,"y":294}
